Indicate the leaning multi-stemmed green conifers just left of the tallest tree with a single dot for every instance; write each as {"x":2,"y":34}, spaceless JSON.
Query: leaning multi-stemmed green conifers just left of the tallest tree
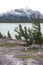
{"x":24,"y":33}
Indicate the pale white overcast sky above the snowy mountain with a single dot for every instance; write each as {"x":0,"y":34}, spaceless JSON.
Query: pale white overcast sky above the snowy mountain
{"x":6,"y":5}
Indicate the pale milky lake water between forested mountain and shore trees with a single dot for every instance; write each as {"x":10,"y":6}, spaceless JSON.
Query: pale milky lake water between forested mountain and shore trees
{"x":4,"y":27}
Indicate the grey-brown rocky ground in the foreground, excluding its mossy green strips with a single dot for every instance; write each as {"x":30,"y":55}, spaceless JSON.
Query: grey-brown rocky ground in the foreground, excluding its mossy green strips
{"x":7,"y":57}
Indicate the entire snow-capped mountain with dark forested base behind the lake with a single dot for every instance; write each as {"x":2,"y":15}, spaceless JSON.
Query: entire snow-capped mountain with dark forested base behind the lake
{"x":20,"y":16}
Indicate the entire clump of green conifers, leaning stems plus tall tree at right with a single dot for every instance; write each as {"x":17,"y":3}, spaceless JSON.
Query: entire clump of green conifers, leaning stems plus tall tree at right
{"x":31,"y":36}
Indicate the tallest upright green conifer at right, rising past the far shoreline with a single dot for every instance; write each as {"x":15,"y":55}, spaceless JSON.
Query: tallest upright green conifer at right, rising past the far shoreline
{"x":37,"y":35}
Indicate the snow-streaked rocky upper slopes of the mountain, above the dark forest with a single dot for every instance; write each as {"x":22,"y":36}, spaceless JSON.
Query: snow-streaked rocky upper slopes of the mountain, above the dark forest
{"x":23,"y":12}
